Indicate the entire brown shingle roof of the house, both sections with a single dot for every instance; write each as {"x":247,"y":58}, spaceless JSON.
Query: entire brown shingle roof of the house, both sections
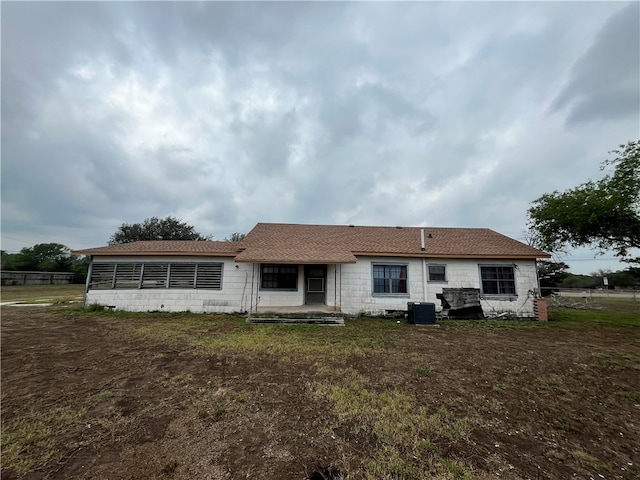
{"x":295,"y":243}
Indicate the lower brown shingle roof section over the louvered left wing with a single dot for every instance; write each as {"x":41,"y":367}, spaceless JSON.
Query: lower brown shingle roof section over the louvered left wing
{"x":164,"y":247}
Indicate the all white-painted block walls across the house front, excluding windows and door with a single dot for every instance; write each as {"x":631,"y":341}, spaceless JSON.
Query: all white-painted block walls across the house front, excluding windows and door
{"x":349,"y":287}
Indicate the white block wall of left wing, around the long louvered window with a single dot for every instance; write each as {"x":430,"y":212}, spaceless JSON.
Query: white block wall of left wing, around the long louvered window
{"x":234,"y":296}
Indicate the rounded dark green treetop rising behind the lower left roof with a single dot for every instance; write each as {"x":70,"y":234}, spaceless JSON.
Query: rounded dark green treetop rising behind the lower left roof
{"x":154,"y":228}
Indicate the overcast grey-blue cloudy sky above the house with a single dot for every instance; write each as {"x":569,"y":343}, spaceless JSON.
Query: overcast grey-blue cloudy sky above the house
{"x":229,"y":114}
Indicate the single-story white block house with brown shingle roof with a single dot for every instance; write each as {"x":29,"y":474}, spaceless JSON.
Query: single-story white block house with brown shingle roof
{"x":344,"y":268}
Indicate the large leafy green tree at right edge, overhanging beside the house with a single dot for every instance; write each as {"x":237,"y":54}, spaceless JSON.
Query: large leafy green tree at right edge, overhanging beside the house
{"x":604,"y":214}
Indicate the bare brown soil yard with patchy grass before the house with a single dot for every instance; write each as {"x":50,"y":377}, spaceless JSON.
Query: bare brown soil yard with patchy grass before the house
{"x":106,"y":396}
